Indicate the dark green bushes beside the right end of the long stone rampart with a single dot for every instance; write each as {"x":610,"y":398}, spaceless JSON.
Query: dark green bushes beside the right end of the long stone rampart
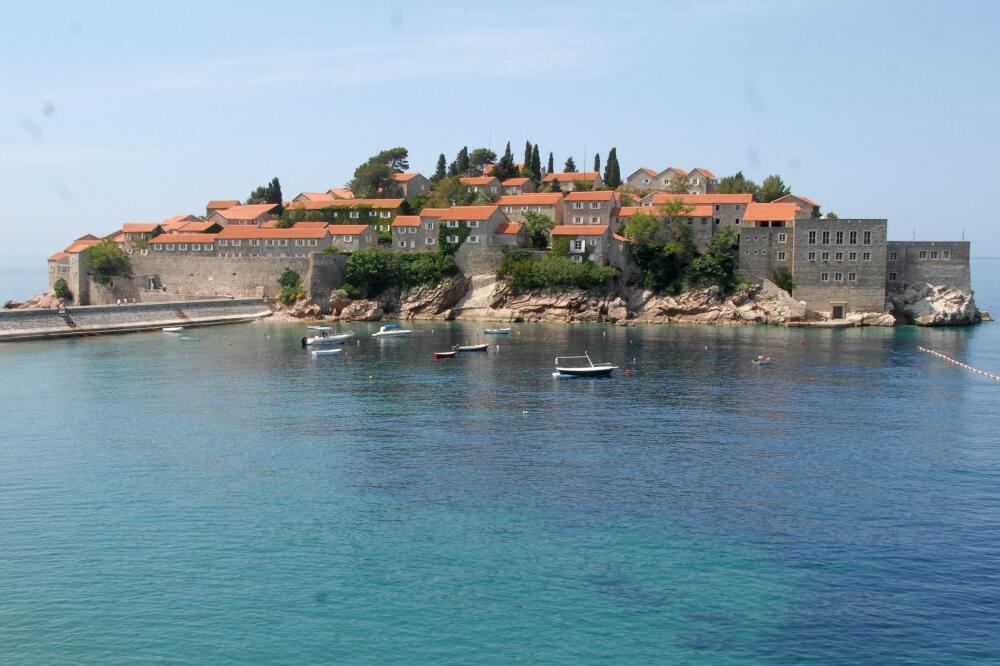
{"x":373,"y":270}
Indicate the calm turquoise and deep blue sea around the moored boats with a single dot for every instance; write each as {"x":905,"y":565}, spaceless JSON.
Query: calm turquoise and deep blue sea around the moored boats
{"x":232,"y":499}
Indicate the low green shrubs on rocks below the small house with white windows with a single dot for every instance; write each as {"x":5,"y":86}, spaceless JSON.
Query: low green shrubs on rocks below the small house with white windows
{"x":525,"y":270}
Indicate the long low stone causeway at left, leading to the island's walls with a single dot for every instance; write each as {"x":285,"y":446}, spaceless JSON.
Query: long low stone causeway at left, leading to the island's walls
{"x":33,"y":324}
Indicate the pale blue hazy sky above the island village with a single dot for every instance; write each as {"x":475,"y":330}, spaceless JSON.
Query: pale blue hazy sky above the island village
{"x":115,"y":112}
